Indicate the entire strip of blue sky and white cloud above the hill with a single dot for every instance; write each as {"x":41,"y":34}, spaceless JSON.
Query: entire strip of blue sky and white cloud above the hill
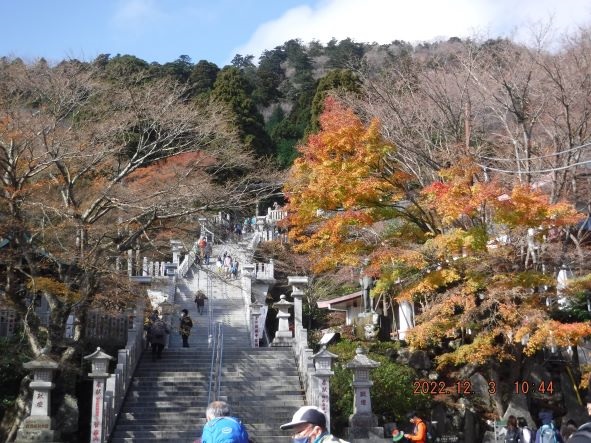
{"x":215,"y":30}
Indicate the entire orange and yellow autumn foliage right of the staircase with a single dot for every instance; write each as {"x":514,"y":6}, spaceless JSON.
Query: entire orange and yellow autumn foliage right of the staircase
{"x":466,"y":249}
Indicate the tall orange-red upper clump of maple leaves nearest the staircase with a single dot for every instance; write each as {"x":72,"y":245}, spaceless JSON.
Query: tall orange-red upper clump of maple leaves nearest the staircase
{"x":337,"y":175}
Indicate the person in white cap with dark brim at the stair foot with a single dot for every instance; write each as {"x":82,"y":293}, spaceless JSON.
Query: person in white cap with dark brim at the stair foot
{"x":309,"y":426}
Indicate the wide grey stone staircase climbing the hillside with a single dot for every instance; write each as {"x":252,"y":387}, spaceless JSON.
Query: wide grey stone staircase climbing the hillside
{"x":167,"y":399}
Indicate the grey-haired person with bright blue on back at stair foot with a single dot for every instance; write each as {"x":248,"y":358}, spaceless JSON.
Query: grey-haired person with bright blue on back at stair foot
{"x":221,"y":427}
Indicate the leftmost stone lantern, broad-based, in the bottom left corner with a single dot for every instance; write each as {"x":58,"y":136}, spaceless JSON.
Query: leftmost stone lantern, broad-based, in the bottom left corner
{"x":38,"y":426}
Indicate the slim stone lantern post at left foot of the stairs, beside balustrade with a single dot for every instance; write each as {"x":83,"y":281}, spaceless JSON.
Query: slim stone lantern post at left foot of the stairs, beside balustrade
{"x":100,"y":372}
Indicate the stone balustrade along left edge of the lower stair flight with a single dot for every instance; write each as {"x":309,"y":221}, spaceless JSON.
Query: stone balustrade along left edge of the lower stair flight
{"x":118,"y":382}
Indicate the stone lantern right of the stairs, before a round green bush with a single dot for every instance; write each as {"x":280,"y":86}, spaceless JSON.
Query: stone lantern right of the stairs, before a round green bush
{"x":362,"y":422}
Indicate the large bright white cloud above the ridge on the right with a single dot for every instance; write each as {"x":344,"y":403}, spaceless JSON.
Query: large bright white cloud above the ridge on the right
{"x":383,"y":21}
